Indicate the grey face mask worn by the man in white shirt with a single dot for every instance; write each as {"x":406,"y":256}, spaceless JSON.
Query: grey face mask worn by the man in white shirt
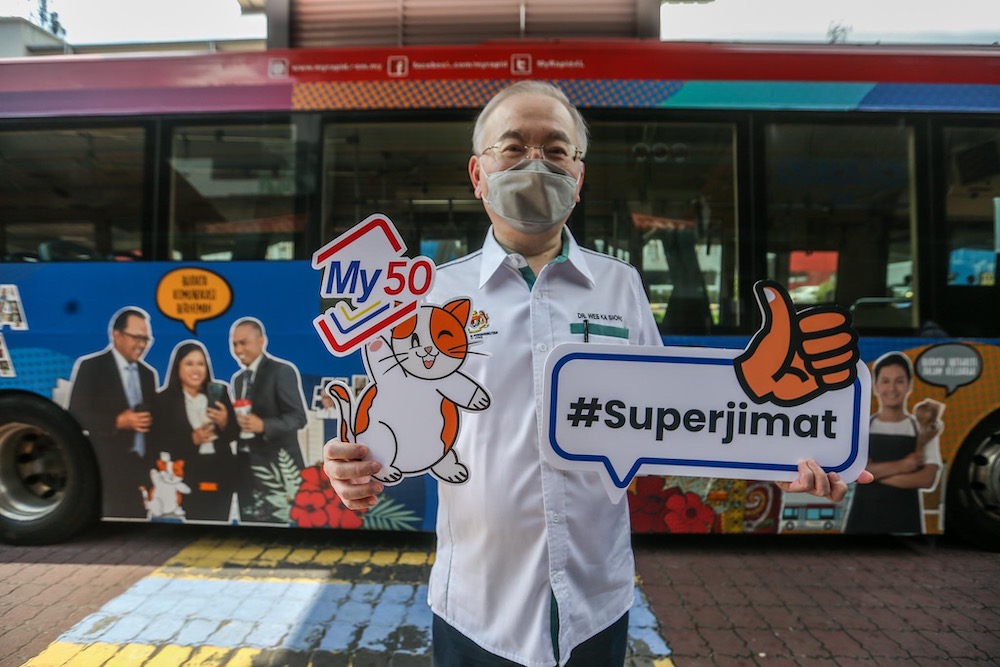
{"x":533,"y":195}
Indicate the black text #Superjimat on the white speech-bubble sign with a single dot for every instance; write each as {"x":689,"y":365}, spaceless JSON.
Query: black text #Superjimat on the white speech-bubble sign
{"x":735,"y":420}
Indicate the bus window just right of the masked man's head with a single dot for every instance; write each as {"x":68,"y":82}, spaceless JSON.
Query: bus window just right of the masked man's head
{"x":662,"y":196}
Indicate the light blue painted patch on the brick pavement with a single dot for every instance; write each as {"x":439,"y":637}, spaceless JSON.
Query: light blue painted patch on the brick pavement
{"x":300,"y":616}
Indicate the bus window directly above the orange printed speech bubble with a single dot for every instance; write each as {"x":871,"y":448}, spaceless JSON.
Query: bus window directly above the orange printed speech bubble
{"x":233,"y":193}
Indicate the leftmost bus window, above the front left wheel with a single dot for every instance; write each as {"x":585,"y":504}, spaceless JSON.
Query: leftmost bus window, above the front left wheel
{"x":71,"y":194}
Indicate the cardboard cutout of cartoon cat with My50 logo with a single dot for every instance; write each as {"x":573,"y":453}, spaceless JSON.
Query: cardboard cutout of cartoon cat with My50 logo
{"x":409,"y":413}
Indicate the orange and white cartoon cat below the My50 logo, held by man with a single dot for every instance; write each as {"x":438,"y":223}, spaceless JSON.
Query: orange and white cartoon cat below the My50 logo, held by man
{"x":417,"y":366}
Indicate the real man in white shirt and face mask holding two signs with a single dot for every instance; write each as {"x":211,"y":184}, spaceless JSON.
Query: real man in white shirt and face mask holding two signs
{"x":534,"y":565}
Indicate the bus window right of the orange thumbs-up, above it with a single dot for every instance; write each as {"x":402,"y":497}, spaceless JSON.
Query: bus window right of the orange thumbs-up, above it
{"x":840,"y":219}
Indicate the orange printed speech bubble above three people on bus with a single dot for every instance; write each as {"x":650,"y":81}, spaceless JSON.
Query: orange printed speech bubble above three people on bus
{"x":193,"y":295}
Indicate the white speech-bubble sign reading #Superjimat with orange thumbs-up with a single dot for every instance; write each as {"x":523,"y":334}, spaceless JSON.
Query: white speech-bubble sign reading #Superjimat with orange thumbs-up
{"x":799,"y":390}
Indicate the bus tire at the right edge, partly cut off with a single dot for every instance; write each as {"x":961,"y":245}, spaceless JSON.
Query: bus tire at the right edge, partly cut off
{"x":973,"y":498}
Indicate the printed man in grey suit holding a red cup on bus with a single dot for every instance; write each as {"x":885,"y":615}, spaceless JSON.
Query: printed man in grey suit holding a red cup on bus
{"x":270,"y":411}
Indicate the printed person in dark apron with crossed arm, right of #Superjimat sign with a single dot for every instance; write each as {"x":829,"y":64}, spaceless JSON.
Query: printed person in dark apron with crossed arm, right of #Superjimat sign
{"x":904,"y":454}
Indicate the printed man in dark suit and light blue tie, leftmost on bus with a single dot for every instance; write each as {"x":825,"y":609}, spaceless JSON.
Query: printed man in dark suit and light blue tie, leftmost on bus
{"x":111,"y":394}
